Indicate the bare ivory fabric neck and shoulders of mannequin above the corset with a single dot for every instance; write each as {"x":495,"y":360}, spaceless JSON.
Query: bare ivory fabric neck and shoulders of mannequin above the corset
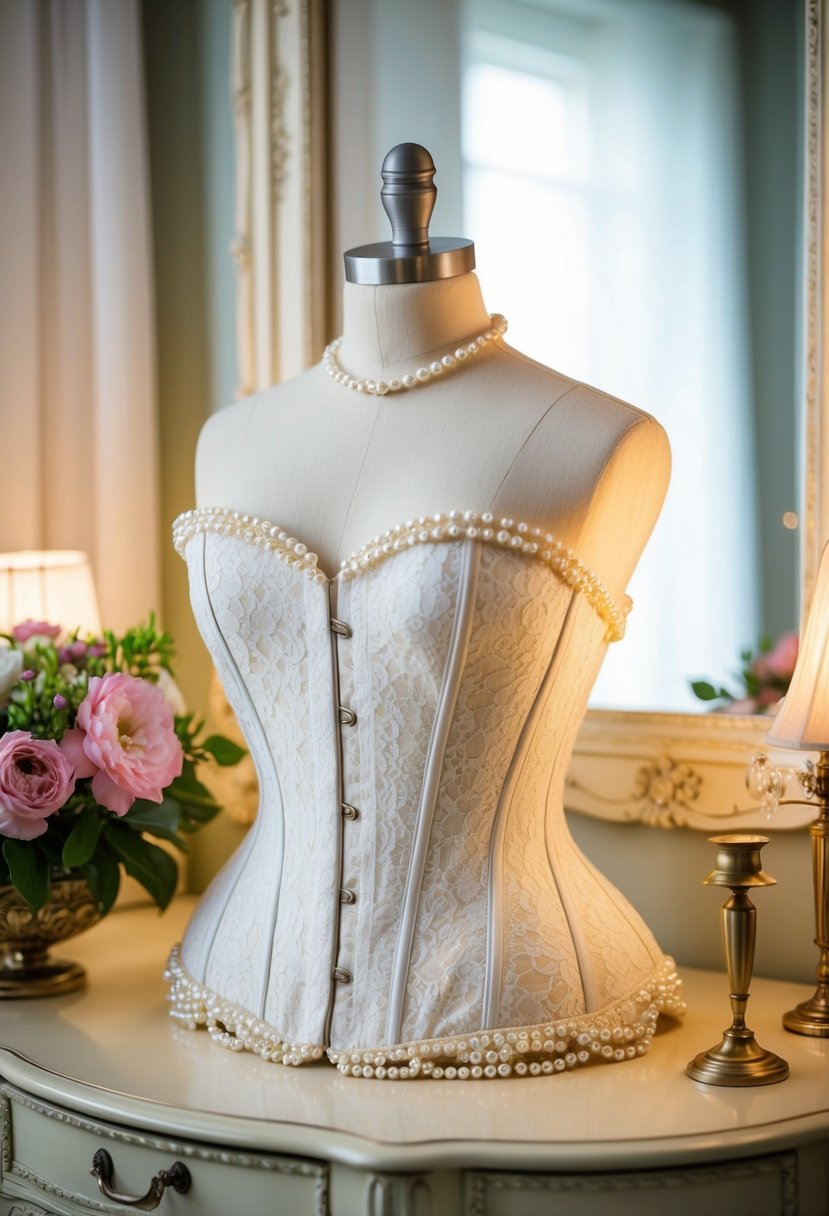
{"x":501,"y":435}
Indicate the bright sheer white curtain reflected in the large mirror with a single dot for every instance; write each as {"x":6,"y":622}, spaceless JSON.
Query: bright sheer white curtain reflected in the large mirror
{"x":604,"y":185}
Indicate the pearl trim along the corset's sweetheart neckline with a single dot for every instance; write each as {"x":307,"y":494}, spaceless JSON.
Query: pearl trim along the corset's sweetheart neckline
{"x":432,"y":530}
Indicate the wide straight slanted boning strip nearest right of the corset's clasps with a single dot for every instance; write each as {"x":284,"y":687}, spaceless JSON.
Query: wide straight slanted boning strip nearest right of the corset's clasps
{"x":459,"y":646}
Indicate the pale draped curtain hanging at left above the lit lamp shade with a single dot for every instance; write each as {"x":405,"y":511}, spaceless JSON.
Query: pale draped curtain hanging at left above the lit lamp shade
{"x":77,"y":363}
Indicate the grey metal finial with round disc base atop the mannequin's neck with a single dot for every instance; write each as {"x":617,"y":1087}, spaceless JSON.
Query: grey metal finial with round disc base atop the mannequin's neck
{"x":411,"y":256}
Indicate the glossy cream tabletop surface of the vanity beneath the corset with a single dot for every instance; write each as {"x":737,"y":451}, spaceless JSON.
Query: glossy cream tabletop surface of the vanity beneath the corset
{"x":112,"y":1052}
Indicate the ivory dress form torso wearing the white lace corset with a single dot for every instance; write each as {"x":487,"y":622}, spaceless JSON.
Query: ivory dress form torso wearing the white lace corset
{"x":408,"y":598}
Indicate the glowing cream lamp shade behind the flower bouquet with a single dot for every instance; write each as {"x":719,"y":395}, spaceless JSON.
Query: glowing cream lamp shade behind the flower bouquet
{"x":48,"y":586}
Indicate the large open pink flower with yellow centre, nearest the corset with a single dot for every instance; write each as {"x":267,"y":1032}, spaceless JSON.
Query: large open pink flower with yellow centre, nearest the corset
{"x":125,"y":742}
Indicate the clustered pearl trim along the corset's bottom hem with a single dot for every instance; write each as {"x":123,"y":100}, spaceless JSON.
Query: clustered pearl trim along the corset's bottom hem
{"x":622,"y":1032}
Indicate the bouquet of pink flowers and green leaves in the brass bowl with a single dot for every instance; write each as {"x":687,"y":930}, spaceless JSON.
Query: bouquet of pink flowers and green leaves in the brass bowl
{"x":97,"y":757}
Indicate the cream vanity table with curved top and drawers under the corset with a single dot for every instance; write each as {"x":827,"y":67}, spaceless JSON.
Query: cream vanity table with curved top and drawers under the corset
{"x":108,"y":1069}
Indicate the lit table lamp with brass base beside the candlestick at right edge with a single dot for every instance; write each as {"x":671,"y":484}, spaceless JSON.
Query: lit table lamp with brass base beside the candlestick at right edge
{"x":803,"y":723}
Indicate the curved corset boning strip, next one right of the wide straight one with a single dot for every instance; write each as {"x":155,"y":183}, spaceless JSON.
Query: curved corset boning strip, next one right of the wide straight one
{"x":495,"y":869}
